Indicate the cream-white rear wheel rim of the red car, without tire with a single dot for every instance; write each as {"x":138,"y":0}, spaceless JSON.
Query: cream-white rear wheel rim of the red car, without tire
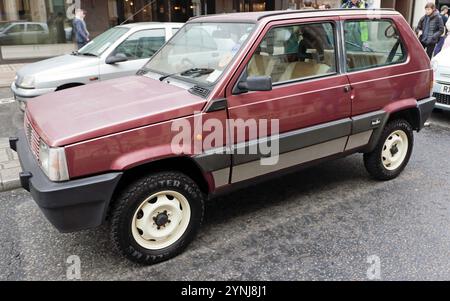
{"x":395,"y":150}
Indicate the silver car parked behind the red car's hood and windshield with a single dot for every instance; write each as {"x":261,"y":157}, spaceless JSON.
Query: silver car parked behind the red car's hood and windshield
{"x":120,"y":51}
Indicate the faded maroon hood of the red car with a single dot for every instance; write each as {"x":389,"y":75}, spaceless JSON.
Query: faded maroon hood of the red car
{"x":108,"y":107}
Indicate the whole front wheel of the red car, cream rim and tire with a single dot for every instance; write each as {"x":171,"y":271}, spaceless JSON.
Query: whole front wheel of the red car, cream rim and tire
{"x":156,"y":217}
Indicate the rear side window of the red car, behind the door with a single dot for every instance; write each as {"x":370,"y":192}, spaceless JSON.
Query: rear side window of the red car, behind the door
{"x":372,"y":43}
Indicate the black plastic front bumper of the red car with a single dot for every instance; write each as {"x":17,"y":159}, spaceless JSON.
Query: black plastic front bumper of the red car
{"x":70,"y":206}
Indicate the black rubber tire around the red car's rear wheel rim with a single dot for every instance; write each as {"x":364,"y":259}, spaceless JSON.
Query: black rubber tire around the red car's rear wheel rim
{"x":373,"y":161}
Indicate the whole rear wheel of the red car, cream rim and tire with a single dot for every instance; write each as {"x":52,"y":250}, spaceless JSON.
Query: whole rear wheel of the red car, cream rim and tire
{"x":393,"y":151}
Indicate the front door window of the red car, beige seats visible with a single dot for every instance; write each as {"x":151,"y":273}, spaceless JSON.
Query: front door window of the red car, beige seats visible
{"x":295,"y":52}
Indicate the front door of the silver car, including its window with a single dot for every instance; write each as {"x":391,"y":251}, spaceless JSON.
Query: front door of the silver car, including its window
{"x":139,"y":47}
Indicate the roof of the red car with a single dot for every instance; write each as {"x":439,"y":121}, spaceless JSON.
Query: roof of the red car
{"x":254,"y":17}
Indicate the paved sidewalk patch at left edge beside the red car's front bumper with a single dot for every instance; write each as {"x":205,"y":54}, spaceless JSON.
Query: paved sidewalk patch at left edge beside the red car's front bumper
{"x":9,"y":167}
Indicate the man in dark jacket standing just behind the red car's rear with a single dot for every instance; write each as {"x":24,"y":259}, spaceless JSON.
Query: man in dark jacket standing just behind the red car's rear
{"x":430,"y":28}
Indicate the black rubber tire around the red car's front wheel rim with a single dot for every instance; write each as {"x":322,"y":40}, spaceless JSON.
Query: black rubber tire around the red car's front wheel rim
{"x":132,"y":197}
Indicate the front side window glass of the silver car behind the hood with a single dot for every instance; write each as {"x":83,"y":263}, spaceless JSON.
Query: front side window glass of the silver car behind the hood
{"x":142,"y":44}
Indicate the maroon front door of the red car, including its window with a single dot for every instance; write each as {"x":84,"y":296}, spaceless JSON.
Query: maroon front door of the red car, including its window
{"x":310,"y":97}
